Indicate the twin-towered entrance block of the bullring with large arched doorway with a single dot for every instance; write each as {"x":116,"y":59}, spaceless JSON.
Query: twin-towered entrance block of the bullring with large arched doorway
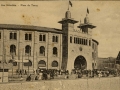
{"x":78,"y":44}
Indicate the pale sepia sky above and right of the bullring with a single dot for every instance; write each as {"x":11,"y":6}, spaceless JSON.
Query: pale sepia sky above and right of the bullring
{"x":105,"y":15}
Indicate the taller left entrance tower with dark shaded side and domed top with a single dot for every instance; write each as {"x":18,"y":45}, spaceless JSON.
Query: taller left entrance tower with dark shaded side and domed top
{"x":67,"y":27}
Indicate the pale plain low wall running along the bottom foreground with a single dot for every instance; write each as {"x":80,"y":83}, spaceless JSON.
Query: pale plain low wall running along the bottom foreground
{"x":111,"y":83}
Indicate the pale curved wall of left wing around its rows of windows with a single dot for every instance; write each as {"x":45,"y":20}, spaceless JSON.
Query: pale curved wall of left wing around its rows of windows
{"x":35,"y":44}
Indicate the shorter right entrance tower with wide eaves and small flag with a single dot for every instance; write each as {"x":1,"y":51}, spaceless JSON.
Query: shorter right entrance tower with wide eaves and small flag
{"x":86,"y":28}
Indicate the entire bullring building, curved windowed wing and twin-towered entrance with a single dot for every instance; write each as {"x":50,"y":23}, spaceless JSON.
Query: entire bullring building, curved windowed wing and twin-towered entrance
{"x":49,"y":48}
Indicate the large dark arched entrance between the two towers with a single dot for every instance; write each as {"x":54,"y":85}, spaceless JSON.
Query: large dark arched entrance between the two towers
{"x":80,"y":63}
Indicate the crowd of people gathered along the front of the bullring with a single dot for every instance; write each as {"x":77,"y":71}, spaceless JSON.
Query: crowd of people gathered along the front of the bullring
{"x":52,"y":73}
